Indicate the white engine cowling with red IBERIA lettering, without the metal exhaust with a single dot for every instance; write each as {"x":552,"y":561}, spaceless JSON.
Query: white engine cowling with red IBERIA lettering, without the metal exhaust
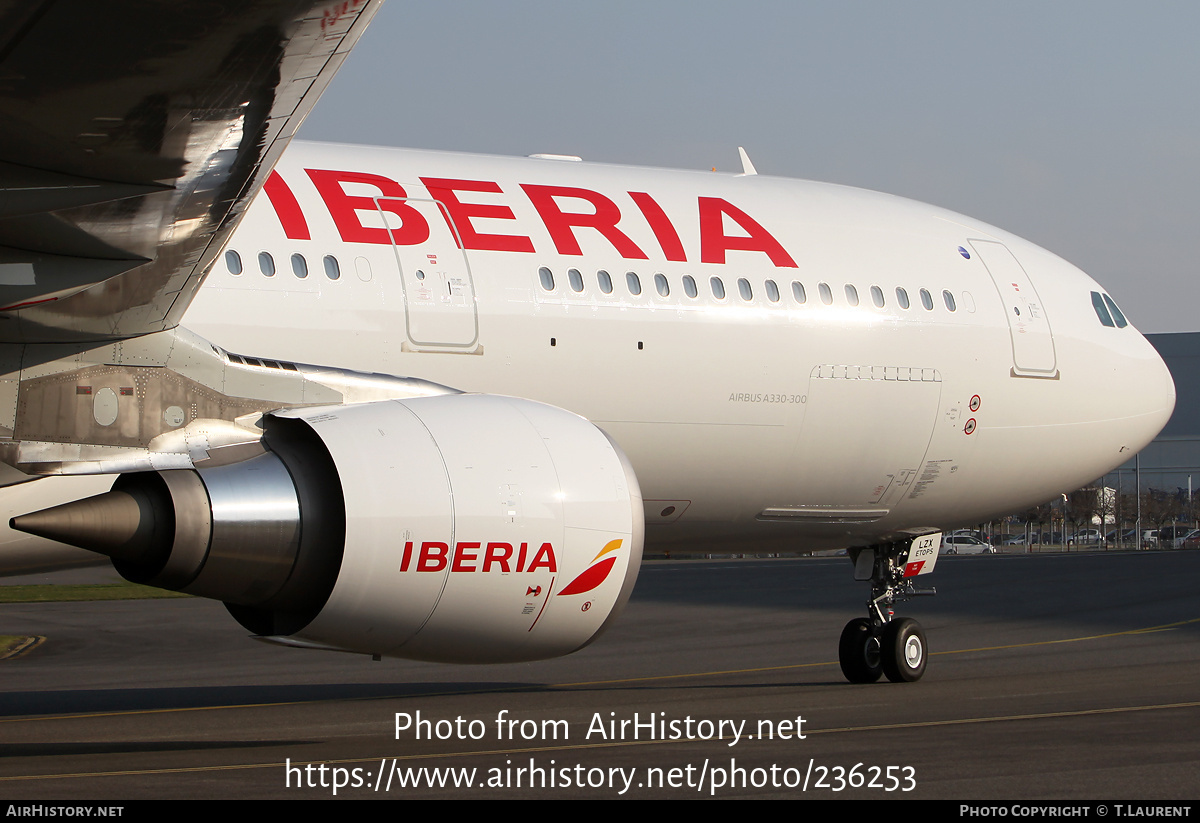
{"x":478,"y":530}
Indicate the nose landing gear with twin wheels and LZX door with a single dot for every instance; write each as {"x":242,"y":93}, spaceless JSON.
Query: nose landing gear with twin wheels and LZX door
{"x":883,"y":644}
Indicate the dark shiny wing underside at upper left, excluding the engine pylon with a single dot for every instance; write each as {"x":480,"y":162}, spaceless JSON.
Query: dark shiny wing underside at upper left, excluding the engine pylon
{"x":133,"y":137}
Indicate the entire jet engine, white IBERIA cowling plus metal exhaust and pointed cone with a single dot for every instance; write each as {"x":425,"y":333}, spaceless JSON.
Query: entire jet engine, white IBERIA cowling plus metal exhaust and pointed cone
{"x":466,"y":528}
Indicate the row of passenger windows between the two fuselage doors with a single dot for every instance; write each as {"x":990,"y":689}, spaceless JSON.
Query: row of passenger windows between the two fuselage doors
{"x":746,"y":290}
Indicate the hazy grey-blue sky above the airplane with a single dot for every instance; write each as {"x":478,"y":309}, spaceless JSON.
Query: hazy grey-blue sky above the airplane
{"x":1076,"y":125}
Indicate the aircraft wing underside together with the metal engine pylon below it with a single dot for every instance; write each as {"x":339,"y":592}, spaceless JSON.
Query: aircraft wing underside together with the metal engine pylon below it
{"x":134,"y":135}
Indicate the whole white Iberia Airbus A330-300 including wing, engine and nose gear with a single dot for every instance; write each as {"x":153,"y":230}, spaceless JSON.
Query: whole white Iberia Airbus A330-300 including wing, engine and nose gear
{"x":436,"y":406}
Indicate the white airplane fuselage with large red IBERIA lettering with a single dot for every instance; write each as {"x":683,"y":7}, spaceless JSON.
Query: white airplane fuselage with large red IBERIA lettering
{"x":747,"y":417}
